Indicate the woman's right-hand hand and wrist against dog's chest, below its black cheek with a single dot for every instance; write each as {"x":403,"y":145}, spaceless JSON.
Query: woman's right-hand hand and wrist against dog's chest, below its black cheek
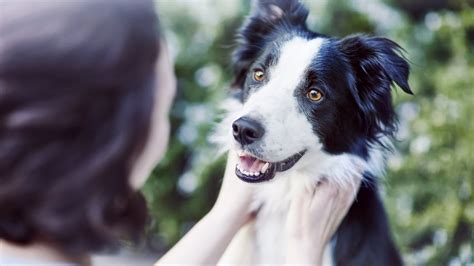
{"x":314,"y":217}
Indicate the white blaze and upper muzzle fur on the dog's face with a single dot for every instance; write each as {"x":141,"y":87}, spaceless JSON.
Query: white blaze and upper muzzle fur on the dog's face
{"x":271,"y":102}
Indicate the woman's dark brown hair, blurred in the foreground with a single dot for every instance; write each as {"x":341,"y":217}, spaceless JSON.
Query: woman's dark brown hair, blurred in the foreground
{"x":76,"y":96}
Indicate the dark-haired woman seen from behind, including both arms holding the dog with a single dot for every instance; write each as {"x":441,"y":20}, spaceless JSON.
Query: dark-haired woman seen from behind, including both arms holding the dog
{"x":84,"y":97}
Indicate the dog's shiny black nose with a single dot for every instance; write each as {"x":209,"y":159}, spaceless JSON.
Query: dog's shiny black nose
{"x":247,"y":130}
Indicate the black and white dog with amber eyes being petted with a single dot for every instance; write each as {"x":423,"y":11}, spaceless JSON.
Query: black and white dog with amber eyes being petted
{"x":312,"y":106}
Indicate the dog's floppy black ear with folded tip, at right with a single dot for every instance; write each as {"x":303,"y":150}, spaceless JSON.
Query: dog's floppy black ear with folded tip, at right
{"x":377,"y":64}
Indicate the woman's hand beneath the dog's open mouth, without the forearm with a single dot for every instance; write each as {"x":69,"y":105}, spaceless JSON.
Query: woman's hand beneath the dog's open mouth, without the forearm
{"x":235,"y":196}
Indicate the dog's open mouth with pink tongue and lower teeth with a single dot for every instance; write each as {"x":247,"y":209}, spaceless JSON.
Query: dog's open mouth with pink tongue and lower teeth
{"x":253,"y":170}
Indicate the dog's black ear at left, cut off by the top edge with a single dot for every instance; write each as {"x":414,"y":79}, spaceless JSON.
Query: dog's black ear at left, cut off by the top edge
{"x":266,"y":17}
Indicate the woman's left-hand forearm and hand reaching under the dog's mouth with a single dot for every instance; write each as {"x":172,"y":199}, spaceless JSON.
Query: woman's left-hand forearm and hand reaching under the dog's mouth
{"x":205,"y":243}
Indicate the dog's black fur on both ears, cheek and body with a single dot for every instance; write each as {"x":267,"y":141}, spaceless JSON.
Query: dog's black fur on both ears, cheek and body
{"x":362,"y":70}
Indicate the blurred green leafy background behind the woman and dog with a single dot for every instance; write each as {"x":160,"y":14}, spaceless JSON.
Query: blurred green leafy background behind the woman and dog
{"x":428,"y":190}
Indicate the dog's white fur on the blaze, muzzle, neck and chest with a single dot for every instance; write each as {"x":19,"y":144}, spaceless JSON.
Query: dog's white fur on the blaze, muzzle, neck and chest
{"x":287,"y":132}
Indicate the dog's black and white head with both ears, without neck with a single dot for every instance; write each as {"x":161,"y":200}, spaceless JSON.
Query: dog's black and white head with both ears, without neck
{"x":305,"y":93}
